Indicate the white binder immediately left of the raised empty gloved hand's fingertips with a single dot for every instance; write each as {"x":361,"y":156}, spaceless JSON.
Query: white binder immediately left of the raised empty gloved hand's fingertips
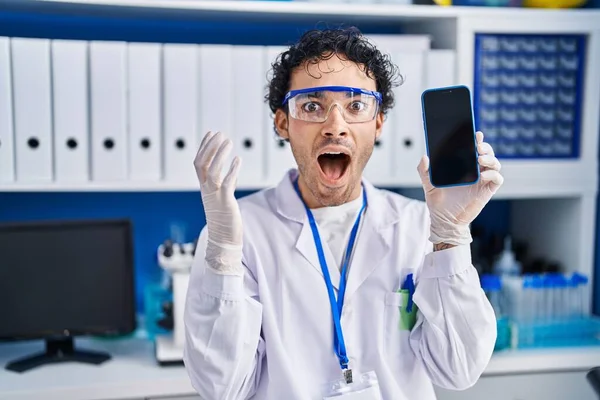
{"x":181,"y":108}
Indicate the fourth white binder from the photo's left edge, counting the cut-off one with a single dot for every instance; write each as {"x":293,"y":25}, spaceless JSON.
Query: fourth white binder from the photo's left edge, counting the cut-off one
{"x":108,"y":85}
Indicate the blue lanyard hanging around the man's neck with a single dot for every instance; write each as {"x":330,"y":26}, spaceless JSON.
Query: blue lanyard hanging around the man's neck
{"x":336,"y":306}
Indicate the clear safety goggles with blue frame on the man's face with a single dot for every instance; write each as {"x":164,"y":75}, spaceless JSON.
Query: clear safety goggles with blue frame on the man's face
{"x":315,"y":104}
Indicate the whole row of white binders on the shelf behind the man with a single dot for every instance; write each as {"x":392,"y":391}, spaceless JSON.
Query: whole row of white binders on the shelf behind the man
{"x":81,"y":111}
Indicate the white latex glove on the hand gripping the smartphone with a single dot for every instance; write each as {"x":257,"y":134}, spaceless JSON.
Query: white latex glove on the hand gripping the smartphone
{"x":453,"y":209}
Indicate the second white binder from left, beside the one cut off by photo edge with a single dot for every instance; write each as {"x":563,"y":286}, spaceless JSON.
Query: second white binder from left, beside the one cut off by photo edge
{"x":32,"y":109}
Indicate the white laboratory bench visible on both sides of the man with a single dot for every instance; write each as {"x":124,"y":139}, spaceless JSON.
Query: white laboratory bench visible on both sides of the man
{"x":133,"y":374}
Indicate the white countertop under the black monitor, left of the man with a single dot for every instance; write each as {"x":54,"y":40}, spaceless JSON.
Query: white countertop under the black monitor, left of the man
{"x":132,"y":373}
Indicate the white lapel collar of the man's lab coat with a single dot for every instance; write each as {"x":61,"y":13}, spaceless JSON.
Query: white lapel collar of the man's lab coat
{"x":372,"y":244}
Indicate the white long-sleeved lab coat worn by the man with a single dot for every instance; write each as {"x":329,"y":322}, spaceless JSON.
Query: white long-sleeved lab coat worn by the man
{"x":269,"y":334}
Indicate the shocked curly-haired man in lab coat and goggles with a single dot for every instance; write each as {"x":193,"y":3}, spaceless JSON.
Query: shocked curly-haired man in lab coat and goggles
{"x":268,"y":286}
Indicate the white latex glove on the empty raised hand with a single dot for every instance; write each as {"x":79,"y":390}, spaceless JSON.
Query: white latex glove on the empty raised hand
{"x":223,"y":218}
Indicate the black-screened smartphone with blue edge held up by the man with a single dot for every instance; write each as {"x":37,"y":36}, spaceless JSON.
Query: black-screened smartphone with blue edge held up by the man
{"x":450,"y":136}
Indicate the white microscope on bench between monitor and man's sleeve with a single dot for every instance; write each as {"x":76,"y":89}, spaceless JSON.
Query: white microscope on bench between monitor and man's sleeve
{"x":176,"y":259}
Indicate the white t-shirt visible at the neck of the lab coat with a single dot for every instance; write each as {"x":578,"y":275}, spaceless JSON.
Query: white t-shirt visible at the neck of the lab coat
{"x":335,"y":225}
